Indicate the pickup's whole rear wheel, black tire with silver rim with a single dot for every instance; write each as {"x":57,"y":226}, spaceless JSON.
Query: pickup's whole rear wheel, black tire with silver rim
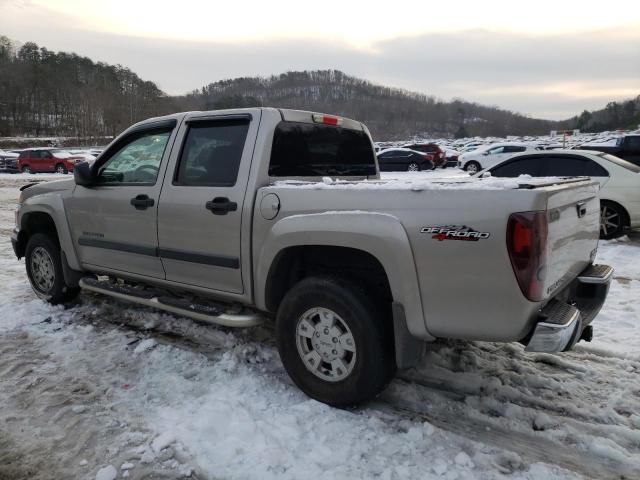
{"x":334,"y":342}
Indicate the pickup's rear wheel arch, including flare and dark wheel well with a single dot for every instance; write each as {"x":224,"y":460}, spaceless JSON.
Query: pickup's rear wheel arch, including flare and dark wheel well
{"x":376,"y":243}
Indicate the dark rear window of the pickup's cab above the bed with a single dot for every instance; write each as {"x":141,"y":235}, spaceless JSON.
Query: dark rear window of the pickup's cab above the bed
{"x":309,"y":150}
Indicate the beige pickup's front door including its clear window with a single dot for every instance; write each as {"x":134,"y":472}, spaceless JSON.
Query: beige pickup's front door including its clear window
{"x":114,"y":221}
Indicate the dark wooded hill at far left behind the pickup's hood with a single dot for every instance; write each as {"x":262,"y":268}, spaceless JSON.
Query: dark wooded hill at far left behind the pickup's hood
{"x":48,"y":93}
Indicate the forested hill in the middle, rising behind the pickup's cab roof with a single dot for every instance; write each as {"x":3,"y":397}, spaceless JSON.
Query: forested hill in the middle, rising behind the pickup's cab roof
{"x":388,"y":112}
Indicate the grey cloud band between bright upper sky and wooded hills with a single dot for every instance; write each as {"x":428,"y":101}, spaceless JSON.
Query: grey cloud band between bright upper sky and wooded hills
{"x":551,"y":76}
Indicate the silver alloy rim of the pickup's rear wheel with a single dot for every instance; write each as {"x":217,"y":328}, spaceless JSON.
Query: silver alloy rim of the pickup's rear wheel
{"x":325,"y":344}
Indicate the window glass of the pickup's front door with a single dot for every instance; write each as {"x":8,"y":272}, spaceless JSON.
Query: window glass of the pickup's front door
{"x":137,"y":161}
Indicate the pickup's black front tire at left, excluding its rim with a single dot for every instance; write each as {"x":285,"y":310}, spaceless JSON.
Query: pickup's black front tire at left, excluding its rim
{"x":59,"y":291}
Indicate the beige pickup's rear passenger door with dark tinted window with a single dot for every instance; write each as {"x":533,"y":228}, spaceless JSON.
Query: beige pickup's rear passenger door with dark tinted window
{"x":201,"y":214}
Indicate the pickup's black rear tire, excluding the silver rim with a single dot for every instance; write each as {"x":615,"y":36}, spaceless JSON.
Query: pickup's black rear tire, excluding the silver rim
{"x":374,"y":364}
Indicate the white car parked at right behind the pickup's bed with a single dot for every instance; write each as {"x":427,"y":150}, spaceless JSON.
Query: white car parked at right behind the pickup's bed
{"x":619,"y":182}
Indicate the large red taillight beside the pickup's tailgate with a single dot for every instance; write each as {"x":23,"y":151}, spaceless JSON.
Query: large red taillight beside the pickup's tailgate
{"x":527,"y":247}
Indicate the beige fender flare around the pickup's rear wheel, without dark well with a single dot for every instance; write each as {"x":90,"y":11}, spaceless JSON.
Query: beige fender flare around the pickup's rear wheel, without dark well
{"x":379,"y":234}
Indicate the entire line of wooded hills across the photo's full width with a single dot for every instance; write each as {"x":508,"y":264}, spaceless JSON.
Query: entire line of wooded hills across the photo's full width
{"x":48,"y":93}
